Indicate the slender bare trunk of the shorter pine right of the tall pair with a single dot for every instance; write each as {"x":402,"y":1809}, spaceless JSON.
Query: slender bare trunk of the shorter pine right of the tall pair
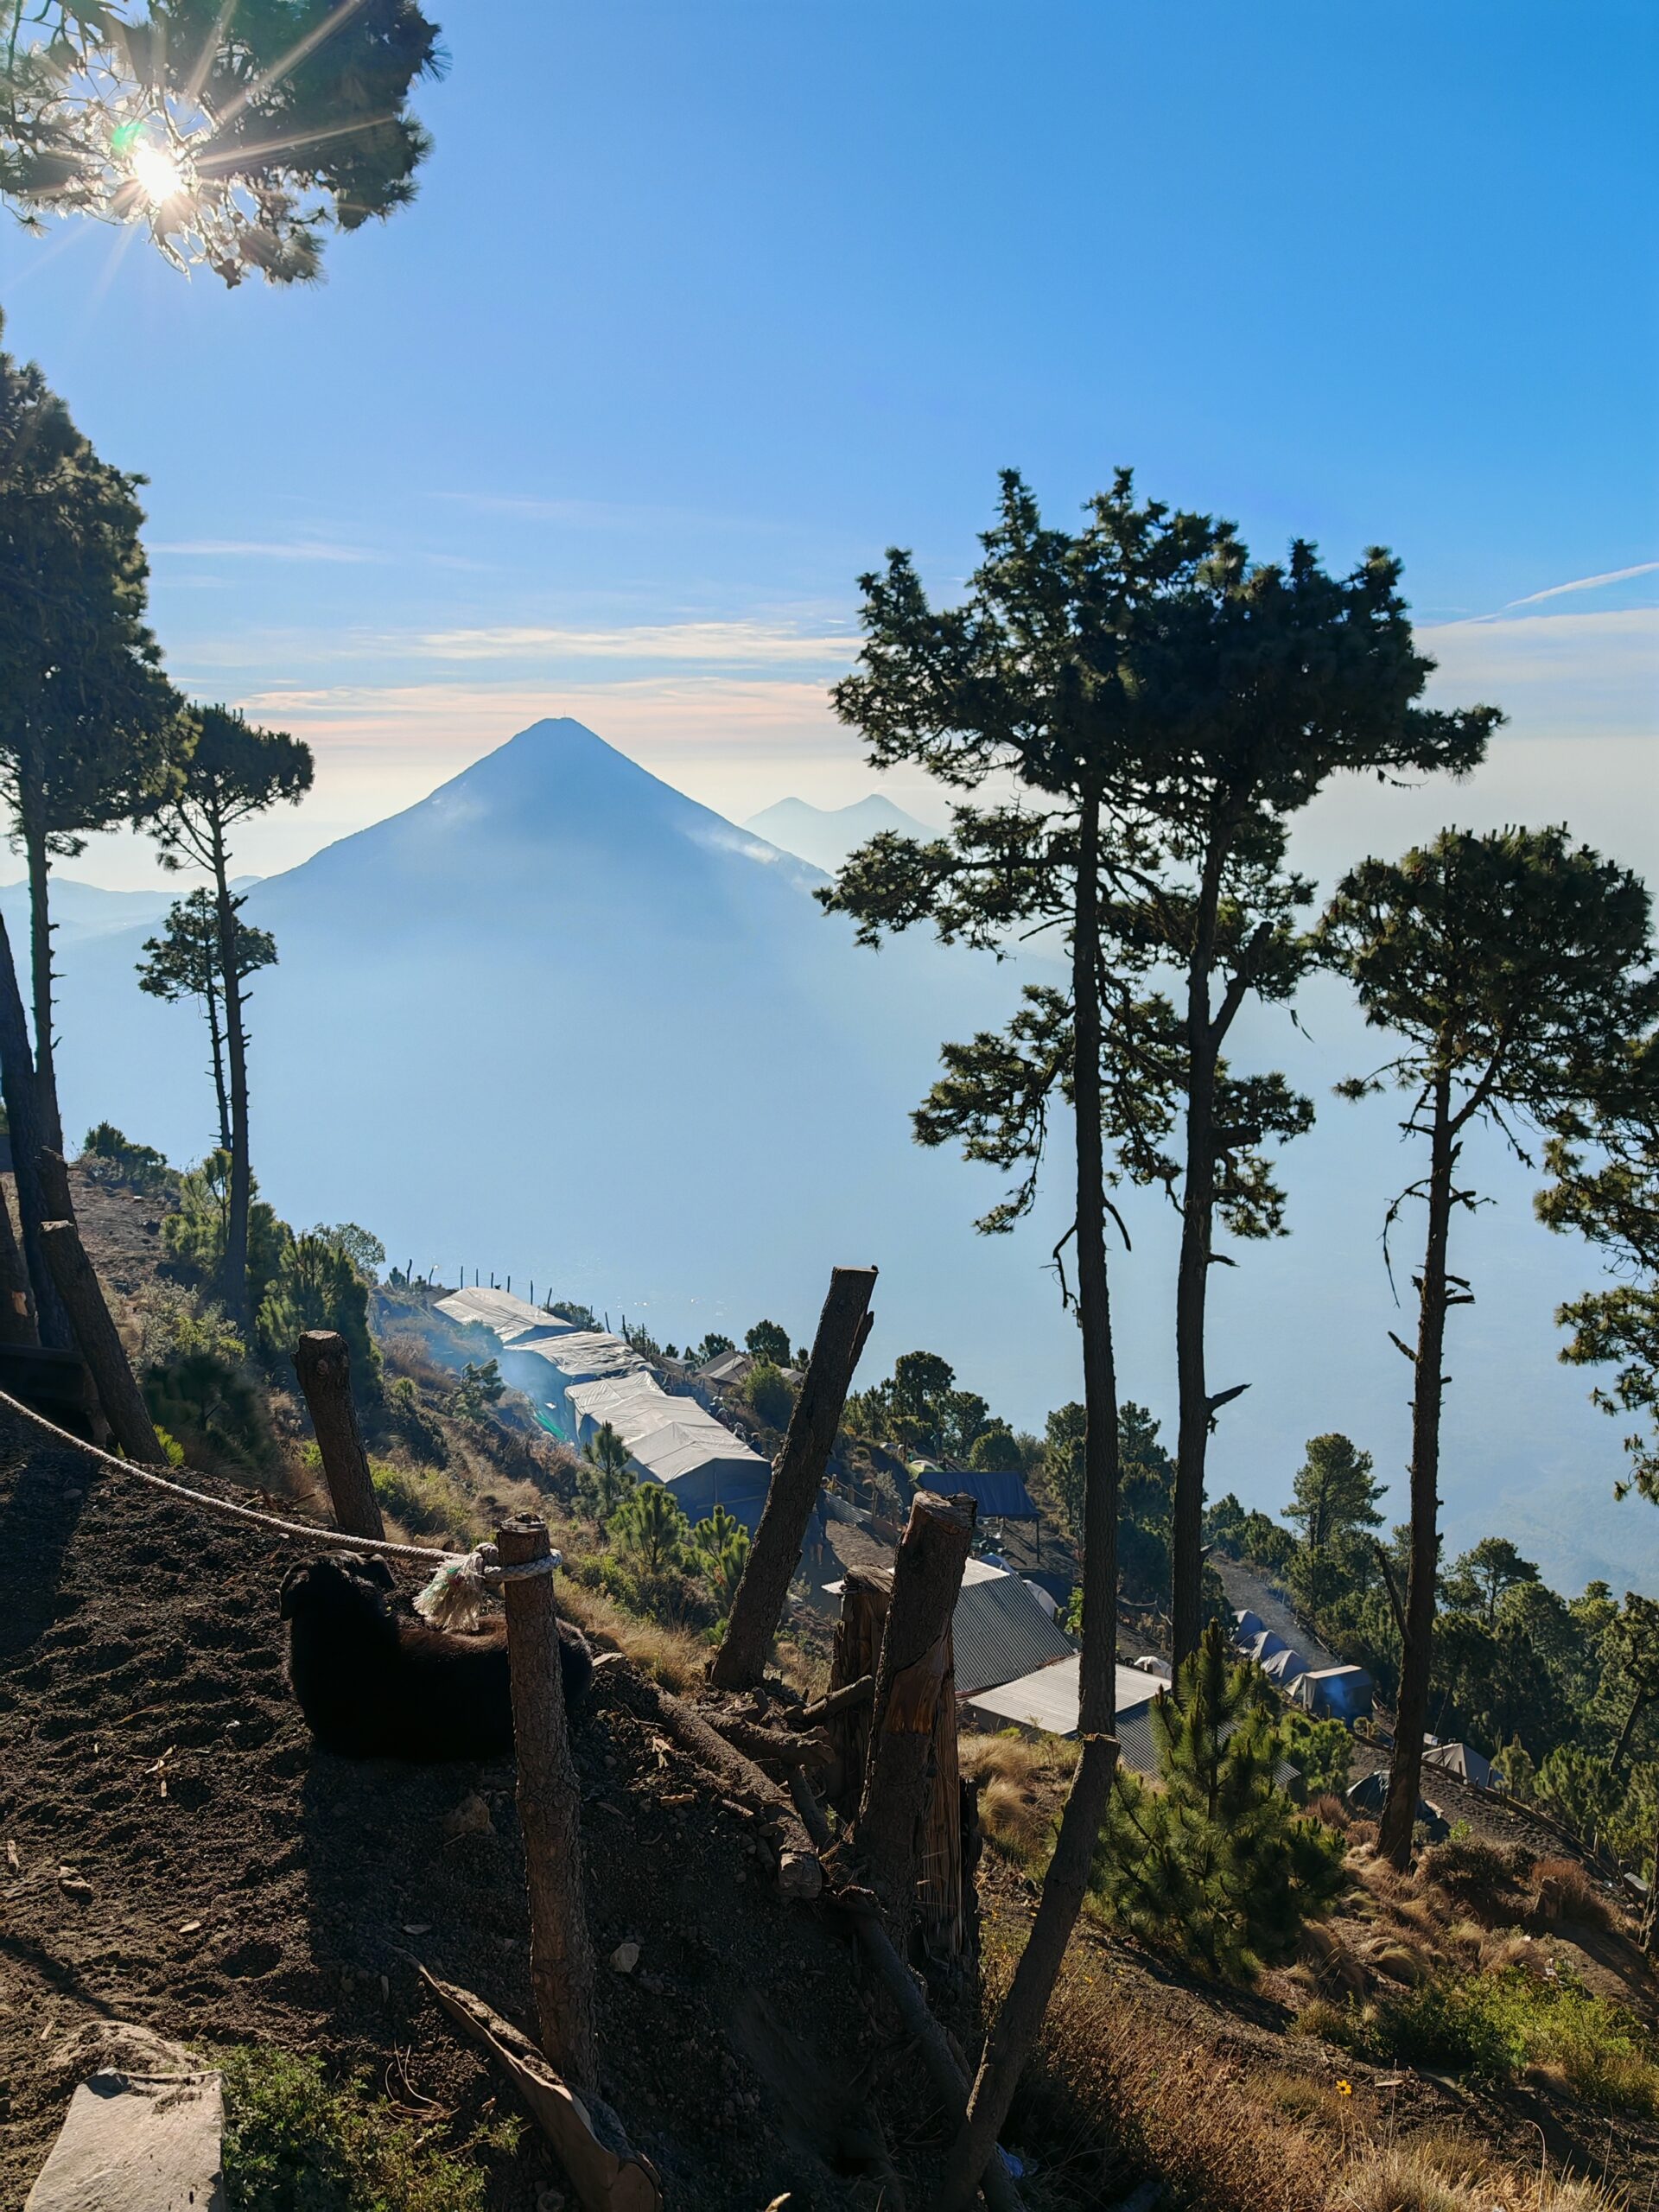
{"x":1417,"y":1647}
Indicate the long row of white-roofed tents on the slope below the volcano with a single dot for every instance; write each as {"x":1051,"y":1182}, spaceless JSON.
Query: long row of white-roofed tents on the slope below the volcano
{"x":583,"y":1379}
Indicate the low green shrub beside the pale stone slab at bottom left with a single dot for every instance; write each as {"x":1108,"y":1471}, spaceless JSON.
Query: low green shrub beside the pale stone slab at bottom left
{"x":300,"y":2145}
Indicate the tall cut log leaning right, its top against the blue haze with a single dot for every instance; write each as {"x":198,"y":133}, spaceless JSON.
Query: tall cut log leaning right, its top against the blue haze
{"x":797,"y":1479}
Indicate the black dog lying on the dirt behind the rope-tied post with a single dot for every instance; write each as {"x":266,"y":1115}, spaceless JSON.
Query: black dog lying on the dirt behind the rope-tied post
{"x":377,"y":1687}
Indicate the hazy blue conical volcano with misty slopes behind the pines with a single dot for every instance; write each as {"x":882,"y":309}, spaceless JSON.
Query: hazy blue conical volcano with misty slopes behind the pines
{"x":565,"y":1023}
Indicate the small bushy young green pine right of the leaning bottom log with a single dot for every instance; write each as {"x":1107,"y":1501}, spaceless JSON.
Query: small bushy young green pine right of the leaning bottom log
{"x":1215,"y":1864}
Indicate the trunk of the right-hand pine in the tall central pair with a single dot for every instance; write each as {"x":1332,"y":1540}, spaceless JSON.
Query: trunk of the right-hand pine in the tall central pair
{"x":1193,"y":1277}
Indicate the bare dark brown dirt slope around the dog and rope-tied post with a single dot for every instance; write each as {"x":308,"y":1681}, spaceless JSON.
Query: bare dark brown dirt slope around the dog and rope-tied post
{"x":174,"y":1850}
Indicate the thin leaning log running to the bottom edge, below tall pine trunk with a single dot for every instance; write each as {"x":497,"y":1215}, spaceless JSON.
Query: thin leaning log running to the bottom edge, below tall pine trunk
{"x":1016,"y":2027}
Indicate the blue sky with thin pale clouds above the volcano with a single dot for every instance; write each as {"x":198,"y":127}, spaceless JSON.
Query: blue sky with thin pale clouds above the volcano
{"x":700,"y":309}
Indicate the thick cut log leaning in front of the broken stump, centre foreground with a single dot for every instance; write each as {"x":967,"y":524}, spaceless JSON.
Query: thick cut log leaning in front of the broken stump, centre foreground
{"x":912,"y":1680}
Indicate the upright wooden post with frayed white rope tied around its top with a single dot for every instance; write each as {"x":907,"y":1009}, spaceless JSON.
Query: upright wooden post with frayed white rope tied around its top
{"x":550,"y":1813}
